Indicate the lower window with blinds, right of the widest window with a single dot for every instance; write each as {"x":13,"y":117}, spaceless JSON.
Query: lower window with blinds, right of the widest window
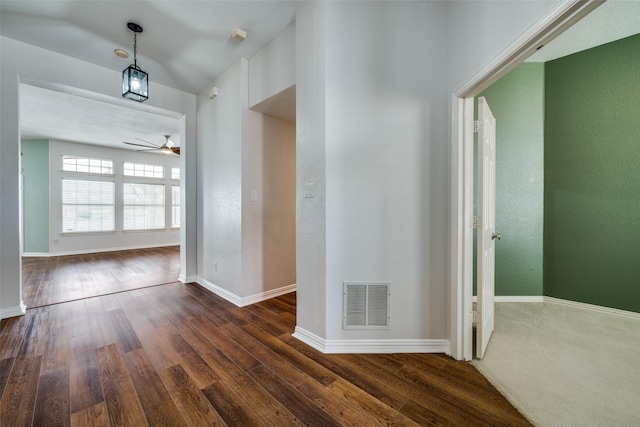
{"x":143,"y":206}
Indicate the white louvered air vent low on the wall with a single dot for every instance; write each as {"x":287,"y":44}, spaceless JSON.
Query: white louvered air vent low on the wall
{"x":366,"y":305}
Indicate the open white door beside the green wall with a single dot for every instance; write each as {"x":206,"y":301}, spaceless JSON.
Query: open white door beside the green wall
{"x":486,"y":231}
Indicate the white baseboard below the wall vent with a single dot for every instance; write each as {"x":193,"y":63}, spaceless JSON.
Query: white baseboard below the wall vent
{"x":377,"y":346}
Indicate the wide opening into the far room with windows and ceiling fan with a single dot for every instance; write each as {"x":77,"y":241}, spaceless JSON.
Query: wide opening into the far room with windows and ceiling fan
{"x":91,"y":224}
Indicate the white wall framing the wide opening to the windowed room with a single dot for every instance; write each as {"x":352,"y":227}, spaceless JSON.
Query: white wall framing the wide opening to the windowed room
{"x":19,"y":60}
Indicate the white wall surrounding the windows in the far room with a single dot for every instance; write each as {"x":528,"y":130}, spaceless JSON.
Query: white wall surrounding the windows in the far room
{"x":70,"y":243}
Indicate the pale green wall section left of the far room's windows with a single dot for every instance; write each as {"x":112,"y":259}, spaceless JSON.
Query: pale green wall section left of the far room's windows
{"x":35,"y":202}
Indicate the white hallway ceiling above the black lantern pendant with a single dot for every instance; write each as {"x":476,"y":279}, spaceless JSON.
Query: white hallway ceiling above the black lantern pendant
{"x":185,"y":44}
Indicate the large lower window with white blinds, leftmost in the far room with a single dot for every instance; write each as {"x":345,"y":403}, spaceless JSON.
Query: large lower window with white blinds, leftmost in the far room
{"x":87,"y":206}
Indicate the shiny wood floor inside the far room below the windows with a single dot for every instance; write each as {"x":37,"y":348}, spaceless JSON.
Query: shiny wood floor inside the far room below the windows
{"x":53,"y":280}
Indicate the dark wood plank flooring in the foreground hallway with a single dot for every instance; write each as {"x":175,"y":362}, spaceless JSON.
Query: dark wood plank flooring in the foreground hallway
{"x":177,"y":355}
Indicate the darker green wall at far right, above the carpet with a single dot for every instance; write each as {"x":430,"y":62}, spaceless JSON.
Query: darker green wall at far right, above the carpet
{"x":592,"y":176}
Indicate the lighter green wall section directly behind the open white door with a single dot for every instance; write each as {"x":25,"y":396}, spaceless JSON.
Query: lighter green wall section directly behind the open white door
{"x":517,"y":102}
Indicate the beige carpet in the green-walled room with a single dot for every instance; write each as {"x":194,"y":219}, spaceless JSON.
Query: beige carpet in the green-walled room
{"x":566,"y":366}
